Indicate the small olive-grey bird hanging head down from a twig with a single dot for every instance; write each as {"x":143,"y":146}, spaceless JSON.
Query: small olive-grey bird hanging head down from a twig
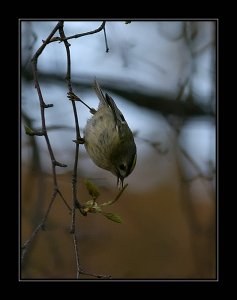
{"x":108,"y":138}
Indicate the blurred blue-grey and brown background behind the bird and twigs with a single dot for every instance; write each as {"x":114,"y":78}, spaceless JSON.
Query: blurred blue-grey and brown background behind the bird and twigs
{"x":162,"y":75}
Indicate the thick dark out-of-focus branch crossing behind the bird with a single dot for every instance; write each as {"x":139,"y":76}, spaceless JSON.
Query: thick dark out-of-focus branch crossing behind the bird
{"x":163,"y":104}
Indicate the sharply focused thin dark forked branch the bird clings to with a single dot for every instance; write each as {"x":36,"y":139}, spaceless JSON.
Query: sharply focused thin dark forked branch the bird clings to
{"x":44,"y":132}
